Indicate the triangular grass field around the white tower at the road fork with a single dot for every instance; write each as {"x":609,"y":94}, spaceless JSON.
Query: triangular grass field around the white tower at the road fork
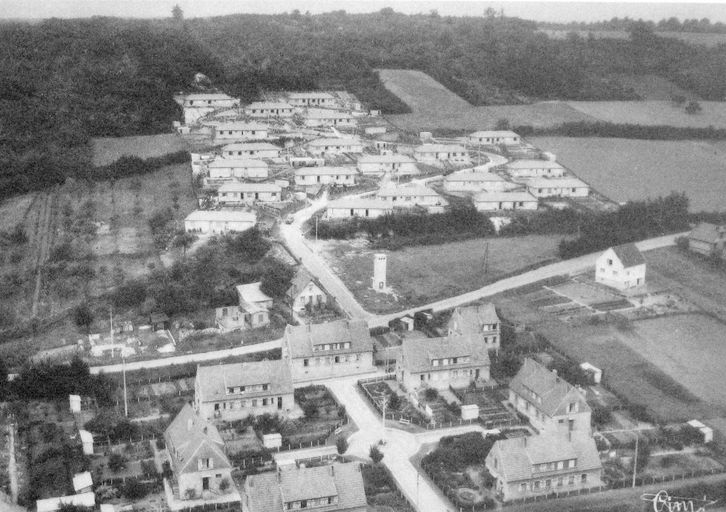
{"x":419,"y":275}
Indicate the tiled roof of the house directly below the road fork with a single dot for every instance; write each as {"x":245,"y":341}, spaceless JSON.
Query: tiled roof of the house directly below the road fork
{"x":301,"y":338}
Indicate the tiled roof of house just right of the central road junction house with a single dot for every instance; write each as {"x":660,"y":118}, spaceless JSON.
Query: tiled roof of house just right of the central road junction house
{"x":417,"y":354}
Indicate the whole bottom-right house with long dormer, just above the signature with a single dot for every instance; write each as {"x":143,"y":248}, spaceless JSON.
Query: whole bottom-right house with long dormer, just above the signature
{"x":524,"y":467}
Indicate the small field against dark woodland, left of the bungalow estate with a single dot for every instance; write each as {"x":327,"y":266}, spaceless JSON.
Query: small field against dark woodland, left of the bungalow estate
{"x":107,"y":150}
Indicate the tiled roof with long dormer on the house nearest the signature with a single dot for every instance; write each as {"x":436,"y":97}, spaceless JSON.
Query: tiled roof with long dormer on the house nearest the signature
{"x":516,"y":456}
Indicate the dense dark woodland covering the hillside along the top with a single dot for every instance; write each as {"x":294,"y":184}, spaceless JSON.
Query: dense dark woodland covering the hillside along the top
{"x":65,"y":81}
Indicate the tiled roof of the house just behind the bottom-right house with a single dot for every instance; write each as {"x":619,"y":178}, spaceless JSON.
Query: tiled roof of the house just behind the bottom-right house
{"x":551,"y":392}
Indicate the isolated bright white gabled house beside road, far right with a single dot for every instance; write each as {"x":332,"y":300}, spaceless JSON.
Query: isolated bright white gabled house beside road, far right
{"x":621,"y":267}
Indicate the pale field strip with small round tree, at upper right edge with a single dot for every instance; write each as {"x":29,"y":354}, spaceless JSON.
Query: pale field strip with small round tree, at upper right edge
{"x":653,"y":113}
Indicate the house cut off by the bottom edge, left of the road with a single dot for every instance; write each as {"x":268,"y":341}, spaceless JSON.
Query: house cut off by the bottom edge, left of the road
{"x":333,"y":488}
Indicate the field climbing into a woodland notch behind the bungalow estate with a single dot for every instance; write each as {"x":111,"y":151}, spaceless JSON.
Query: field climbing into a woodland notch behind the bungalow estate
{"x":434,"y":106}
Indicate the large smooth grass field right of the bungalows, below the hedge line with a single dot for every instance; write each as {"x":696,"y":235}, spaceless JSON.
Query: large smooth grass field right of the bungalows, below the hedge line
{"x":626,"y":169}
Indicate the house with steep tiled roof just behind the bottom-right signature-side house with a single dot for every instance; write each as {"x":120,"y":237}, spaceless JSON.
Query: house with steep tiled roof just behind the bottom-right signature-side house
{"x":549,"y":402}
